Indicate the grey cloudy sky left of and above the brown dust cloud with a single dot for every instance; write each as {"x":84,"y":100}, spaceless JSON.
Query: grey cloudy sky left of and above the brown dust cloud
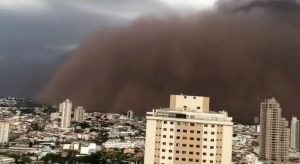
{"x":38,"y":36}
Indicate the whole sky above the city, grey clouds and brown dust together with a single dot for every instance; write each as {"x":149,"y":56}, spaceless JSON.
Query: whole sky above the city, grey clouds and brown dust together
{"x":134,"y":54}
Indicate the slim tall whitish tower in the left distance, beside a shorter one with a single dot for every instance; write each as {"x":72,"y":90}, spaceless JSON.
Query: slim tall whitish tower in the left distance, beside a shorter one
{"x":66,"y":108}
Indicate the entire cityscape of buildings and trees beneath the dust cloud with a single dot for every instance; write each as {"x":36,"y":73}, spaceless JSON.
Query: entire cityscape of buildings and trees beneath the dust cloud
{"x":185,"y":132}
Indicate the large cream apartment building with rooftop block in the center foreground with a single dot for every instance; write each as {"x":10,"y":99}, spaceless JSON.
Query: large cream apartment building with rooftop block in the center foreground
{"x":187,"y":132}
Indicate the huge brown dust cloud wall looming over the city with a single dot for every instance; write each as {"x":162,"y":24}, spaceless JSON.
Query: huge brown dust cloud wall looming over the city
{"x":239,"y":54}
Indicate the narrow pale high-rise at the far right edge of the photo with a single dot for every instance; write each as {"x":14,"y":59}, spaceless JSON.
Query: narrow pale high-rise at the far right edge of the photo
{"x":295,"y":134}
